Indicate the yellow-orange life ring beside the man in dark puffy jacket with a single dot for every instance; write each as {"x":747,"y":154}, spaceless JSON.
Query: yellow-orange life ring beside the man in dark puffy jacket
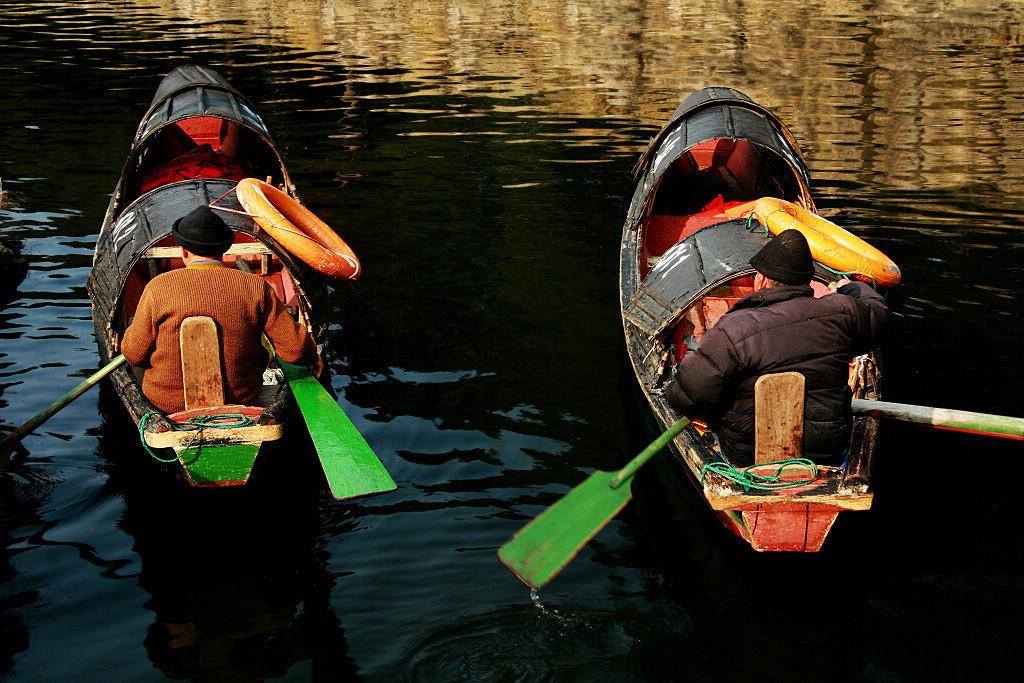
{"x":831,"y":245}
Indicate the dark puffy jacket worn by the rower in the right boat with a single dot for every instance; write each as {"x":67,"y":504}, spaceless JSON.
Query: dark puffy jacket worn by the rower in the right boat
{"x":779,"y":330}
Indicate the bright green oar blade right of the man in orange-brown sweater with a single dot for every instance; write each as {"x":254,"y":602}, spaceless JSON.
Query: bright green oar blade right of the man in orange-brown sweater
{"x":352,"y":468}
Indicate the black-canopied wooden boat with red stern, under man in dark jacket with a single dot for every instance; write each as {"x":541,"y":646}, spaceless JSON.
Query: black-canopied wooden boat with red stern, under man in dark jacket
{"x":687,"y":247}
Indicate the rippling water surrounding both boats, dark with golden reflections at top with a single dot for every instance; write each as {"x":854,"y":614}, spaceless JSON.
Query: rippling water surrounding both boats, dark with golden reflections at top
{"x":477,"y":156}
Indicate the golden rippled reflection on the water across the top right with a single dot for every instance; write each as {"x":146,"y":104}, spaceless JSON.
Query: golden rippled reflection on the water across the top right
{"x":938,"y":86}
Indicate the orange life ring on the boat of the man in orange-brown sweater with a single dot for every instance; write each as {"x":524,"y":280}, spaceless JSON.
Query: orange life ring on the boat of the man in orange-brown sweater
{"x":297,"y":229}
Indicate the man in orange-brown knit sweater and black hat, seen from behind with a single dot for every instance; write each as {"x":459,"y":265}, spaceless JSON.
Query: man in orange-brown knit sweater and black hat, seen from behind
{"x":243,"y":306}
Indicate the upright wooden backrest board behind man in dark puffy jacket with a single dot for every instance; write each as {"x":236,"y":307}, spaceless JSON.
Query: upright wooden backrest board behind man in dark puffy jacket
{"x":779,"y":417}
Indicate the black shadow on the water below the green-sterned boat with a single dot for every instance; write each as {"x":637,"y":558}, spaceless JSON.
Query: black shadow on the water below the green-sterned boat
{"x":237,"y":576}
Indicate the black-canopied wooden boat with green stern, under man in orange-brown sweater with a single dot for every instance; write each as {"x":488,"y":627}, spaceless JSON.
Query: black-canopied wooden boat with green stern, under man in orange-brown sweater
{"x":199,"y":138}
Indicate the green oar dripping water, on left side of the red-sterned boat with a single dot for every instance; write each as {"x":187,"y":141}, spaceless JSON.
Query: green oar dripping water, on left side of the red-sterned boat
{"x":541,"y":549}
